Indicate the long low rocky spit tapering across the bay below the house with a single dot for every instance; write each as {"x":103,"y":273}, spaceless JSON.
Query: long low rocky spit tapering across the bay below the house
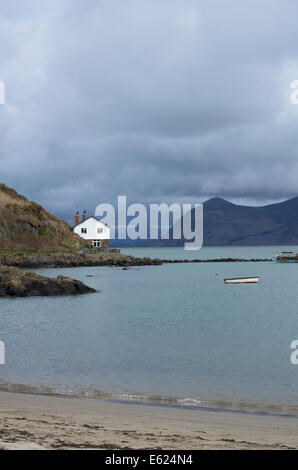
{"x":57,"y":260}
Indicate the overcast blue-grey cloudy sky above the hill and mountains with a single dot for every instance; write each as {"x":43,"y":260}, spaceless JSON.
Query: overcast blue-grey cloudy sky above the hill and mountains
{"x":158,"y":100}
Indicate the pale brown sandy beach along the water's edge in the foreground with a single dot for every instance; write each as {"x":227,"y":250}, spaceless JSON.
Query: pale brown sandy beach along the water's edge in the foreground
{"x":44,"y":422}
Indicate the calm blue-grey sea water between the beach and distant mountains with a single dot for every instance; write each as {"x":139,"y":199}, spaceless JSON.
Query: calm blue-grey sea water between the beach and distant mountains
{"x":166,"y":331}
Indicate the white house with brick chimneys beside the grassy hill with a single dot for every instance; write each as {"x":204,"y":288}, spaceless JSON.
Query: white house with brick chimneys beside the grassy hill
{"x":92,"y":229}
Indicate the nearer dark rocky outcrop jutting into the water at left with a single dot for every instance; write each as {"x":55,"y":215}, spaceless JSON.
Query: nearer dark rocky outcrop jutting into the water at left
{"x":15,"y":283}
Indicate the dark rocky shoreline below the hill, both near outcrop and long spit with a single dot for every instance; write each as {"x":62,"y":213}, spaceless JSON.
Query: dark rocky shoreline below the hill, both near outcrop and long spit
{"x":15,"y":283}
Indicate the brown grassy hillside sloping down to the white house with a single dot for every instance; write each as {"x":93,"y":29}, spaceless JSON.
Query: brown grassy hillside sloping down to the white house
{"x":26,"y":225}
